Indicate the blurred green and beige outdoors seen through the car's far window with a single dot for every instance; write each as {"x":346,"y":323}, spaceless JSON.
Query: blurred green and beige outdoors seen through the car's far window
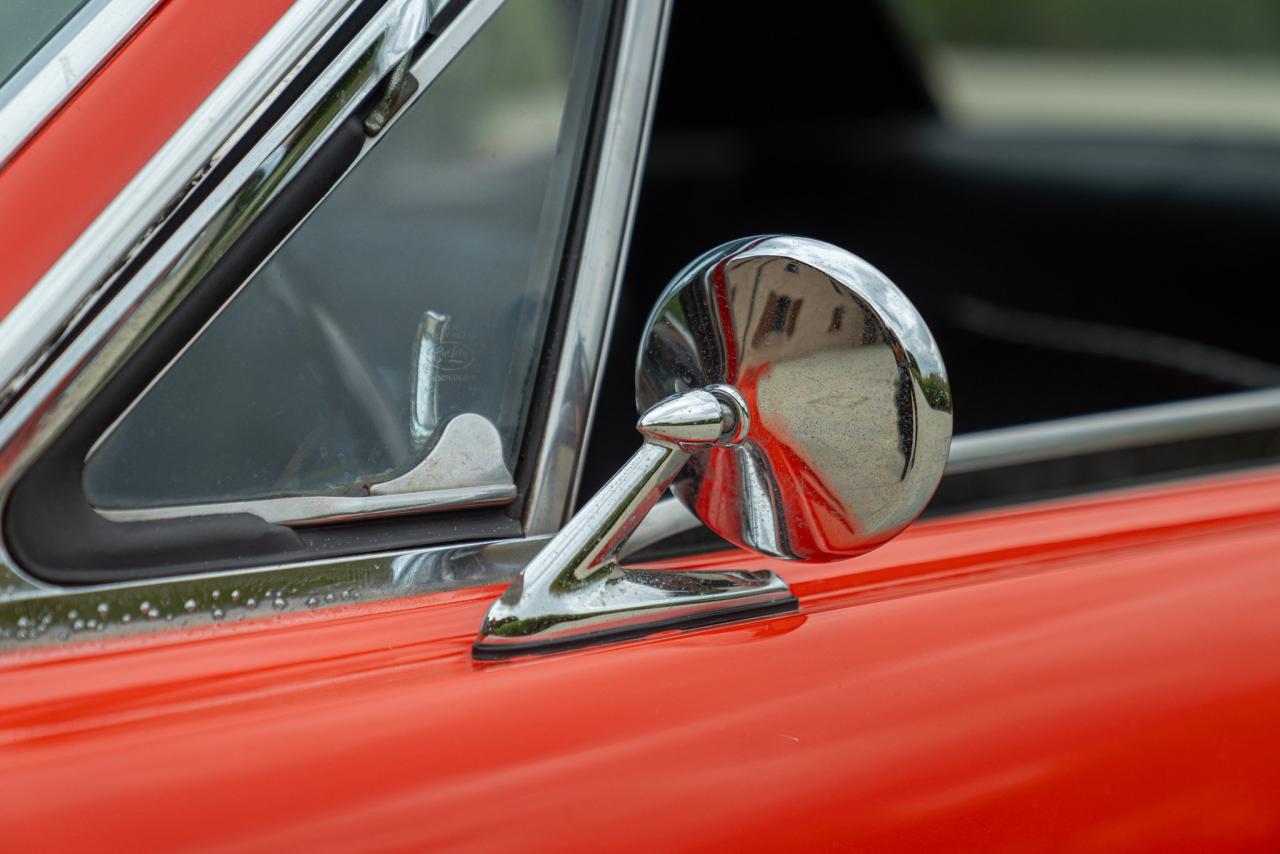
{"x":1178,"y":68}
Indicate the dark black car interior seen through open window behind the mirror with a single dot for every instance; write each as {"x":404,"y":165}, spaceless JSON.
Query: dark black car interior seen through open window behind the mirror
{"x":1062,"y":275}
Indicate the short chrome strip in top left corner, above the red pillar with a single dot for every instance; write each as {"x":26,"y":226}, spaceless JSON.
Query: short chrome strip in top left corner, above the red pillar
{"x":56,"y":72}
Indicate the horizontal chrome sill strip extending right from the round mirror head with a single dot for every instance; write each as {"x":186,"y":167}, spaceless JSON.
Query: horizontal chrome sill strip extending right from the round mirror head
{"x":1118,"y":431}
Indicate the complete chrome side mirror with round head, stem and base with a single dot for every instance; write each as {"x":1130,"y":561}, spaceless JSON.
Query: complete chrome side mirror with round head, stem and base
{"x":794,"y":400}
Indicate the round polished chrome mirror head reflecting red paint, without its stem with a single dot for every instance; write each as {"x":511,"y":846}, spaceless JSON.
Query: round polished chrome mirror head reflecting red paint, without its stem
{"x":849,"y":409}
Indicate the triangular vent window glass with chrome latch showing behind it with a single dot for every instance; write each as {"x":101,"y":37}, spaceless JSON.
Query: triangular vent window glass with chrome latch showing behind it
{"x":418,"y":291}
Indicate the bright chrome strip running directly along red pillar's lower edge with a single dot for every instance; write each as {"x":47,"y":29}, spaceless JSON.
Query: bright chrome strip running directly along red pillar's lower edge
{"x":48,"y":316}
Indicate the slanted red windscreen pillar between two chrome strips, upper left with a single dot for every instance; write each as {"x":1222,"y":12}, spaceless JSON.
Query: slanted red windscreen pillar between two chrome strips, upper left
{"x":81,"y":159}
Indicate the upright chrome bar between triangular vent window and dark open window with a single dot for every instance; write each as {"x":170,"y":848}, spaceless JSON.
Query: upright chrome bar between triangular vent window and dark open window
{"x":557,"y":465}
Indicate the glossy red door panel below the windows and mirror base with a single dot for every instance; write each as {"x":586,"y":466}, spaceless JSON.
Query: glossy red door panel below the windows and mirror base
{"x":1087,"y":675}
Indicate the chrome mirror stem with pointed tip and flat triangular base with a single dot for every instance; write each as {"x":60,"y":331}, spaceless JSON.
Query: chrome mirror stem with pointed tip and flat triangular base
{"x":577,"y":593}
